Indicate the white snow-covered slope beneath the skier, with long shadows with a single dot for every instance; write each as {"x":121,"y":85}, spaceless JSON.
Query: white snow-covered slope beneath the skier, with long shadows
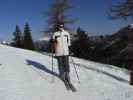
{"x":27,"y":75}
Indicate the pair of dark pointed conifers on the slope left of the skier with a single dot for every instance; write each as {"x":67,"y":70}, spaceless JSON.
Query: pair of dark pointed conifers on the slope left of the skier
{"x":23,"y":39}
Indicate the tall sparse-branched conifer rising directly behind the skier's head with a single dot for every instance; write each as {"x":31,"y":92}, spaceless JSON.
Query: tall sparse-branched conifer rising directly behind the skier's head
{"x":57,"y":14}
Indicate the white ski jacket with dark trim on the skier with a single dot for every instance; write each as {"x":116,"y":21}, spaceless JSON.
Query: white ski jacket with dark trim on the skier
{"x":63,"y":42}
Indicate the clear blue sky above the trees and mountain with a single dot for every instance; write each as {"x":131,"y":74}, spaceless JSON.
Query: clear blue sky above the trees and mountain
{"x":91,"y":14}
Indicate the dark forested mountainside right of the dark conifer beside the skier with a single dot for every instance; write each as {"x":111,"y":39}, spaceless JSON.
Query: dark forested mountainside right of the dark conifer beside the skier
{"x":113,"y":49}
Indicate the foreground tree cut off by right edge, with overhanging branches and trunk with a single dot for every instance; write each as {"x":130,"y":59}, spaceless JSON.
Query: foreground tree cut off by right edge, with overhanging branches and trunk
{"x":124,"y":9}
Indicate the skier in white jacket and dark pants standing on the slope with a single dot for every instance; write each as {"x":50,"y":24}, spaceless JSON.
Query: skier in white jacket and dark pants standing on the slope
{"x":61,"y":43}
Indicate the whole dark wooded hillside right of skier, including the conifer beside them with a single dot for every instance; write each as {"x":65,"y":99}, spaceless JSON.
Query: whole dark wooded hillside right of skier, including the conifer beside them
{"x":111,"y":49}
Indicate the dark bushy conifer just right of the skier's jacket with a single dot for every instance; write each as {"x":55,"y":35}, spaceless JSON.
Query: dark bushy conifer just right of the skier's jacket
{"x":80,"y":46}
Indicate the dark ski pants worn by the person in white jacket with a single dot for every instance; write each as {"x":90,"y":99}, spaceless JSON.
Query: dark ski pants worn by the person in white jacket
{"x":63,"y":64}
